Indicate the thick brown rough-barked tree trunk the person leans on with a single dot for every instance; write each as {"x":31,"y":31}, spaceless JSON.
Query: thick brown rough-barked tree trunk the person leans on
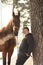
{"x":37,"y":30}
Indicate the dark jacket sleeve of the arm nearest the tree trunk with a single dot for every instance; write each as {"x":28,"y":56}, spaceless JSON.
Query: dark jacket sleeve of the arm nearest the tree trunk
{"x":30,"y":42}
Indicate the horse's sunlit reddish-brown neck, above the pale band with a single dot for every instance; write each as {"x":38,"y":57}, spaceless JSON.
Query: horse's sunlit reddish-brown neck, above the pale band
{"x":5,"y":30}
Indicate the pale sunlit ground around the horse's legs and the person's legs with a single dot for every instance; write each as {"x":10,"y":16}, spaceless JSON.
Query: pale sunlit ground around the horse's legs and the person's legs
{"x":14,"y":57}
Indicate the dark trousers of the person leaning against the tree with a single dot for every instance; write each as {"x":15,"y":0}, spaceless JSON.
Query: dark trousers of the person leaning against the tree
{"x":21,"y":59}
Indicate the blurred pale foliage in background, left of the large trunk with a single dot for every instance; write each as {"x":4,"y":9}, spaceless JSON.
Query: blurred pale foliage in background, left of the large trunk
{"x":23,"y":6}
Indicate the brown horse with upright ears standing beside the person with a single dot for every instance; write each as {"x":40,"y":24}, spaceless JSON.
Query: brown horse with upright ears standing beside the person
{"x":7,"y":37}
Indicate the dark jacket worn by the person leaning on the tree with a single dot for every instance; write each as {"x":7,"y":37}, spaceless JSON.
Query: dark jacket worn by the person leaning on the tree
{"x":27,"y":44}
